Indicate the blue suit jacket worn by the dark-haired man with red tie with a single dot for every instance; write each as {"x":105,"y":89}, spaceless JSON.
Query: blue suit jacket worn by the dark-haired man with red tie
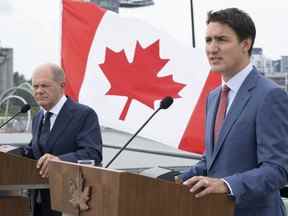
{"x":252,"y":149}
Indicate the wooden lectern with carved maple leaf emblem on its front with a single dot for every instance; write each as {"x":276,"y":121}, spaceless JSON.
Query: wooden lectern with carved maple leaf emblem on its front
{"x":86,"y":190}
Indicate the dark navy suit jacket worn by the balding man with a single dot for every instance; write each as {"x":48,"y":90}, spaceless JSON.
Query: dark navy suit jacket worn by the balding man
{"x":75,"y":135}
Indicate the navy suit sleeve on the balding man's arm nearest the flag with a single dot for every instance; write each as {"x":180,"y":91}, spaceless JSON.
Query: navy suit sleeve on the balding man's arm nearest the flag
{"x":88,"y":140}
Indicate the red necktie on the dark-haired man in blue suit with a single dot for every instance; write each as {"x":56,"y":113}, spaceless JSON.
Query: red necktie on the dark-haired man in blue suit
{"x":222,"y":106}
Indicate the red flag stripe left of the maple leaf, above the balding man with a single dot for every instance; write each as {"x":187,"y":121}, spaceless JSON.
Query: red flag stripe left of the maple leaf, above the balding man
{"x":77,"y":26}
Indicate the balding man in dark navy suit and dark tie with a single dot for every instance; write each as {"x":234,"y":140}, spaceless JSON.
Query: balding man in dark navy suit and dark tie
{"x":61,"y":130}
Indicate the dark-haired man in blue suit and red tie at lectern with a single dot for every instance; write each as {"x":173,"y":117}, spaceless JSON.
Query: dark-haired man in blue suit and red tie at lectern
{"x":246,"y":150}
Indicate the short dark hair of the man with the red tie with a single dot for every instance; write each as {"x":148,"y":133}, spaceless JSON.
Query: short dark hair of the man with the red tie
{"x":238,"y":20}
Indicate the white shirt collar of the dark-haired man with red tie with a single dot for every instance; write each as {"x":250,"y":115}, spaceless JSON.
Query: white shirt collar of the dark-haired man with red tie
{"x":236,"y":81}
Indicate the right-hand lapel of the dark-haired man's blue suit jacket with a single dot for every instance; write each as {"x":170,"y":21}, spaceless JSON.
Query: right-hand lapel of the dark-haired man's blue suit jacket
{"x":238,"y":105}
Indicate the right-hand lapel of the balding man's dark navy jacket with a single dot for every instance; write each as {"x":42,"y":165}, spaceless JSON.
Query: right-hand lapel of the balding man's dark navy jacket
{"x":62,"y":120}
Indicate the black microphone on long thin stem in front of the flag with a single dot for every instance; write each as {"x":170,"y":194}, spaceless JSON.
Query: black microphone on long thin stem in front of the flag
{"x":164,"y":104}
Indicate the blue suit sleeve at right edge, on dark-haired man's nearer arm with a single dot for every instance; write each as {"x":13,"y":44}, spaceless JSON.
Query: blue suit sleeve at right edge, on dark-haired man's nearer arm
{"x":272,"y":151}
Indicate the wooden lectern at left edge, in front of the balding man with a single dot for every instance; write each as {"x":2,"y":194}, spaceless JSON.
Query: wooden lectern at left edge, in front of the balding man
{"x":17,"y":174}
